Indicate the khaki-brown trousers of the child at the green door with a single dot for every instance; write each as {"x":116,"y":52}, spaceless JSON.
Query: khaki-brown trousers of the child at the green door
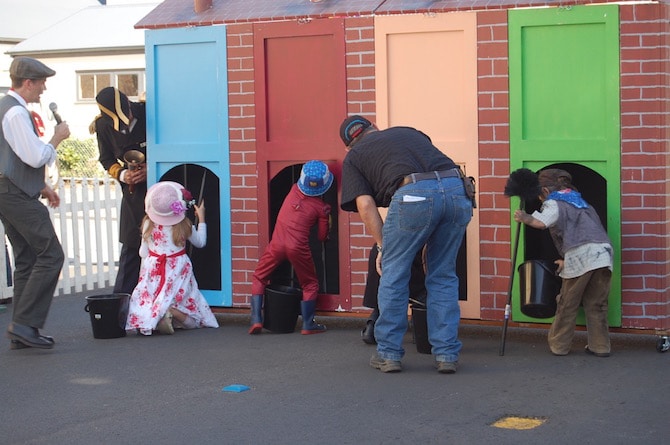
{"x":591,"y":290}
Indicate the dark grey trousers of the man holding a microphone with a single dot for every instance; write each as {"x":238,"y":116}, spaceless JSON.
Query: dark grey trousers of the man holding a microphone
{"x":38,"y":254}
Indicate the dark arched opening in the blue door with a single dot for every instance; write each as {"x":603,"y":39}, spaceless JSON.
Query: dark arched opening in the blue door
{"x":203,"y":185}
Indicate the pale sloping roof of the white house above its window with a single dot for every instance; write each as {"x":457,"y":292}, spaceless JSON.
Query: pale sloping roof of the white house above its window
{"x":92,"y":28}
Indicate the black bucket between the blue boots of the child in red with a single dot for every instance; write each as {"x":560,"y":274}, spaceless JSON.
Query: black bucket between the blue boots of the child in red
{"x":281,"y":308}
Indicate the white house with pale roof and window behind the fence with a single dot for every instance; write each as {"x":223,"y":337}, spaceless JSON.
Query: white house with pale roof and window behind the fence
{"x":94,"y":47}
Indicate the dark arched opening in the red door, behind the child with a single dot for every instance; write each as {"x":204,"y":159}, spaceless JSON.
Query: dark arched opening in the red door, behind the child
{"x":325,"y":254}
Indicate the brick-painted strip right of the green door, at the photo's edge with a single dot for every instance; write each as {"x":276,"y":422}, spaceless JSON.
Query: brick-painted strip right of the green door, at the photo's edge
{"x":645,"y":167}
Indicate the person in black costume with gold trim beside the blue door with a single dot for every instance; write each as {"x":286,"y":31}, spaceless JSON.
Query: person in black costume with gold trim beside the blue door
{"x":121,"y":128}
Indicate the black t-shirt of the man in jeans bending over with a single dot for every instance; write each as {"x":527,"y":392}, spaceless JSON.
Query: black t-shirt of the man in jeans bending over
{"x":377,"y":163}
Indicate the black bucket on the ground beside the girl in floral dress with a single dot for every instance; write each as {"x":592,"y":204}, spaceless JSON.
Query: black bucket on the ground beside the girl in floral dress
{"x":108,"y":314}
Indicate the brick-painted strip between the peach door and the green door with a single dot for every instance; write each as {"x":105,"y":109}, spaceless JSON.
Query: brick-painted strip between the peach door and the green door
{"x":494,"y":167}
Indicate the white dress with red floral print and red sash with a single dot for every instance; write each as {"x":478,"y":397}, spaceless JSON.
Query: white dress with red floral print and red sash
{"x":167,"y":280}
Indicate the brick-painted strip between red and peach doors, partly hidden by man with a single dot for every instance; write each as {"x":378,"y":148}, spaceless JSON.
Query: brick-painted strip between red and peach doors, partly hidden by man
{"x":360,"y":59}
